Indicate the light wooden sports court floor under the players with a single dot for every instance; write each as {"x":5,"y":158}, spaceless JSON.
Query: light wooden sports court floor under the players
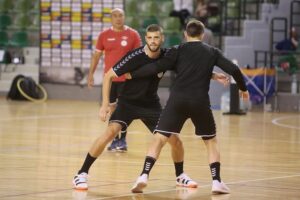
{"x":43,"y":145}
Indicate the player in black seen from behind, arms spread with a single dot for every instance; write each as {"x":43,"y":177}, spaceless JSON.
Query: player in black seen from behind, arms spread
{"x":193,"y":62}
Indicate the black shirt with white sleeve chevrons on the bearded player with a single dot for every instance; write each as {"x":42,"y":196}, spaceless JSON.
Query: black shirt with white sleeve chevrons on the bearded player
{"x":141,"y":91}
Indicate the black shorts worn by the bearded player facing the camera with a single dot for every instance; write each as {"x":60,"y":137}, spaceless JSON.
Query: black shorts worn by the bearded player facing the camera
{"x":125,"y":113}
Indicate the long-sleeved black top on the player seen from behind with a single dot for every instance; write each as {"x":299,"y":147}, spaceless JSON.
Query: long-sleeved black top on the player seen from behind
{"x":193,"y":63}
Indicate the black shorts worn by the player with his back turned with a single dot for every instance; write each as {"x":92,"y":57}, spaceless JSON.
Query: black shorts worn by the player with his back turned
{"x":178,"y":111}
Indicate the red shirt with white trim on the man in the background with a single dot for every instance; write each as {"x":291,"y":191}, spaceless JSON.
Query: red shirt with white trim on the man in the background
{"x":116,"y":45}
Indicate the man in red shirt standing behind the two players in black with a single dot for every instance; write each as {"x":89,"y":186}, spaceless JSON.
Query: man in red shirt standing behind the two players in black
{"x":114,"y":43}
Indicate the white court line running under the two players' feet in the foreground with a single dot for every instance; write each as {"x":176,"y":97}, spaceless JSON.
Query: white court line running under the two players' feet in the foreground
{"x":202,"y":186}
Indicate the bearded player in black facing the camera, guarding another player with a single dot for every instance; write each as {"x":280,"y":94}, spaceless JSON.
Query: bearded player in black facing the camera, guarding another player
{"x":138,"y":100}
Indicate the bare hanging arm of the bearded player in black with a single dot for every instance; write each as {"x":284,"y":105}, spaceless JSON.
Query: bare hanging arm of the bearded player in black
{"x":104,"y":111}
